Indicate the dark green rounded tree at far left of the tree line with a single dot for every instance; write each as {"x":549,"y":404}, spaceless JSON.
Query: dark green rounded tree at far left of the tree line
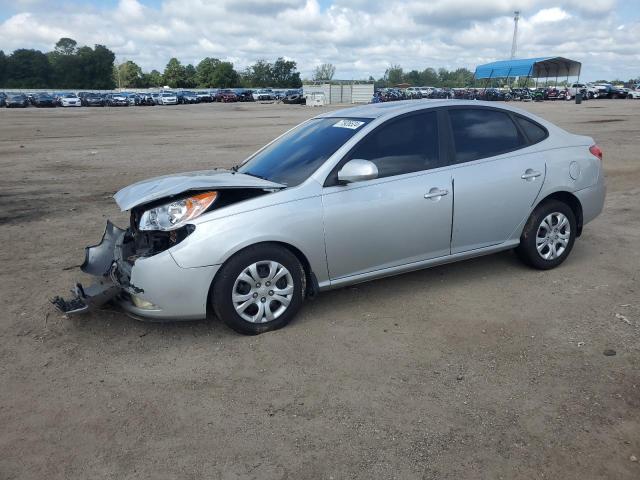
{"x":28,"y":69}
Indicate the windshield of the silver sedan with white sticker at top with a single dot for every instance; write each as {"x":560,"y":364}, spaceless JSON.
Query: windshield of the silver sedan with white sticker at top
{"x":291,"y":159}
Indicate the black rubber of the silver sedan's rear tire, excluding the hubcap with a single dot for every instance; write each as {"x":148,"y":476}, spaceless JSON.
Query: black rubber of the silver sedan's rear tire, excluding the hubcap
{"x":527,"y":250}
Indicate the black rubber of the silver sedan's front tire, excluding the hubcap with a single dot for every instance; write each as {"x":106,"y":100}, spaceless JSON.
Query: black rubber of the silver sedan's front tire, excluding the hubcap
{"x":225,"y":280}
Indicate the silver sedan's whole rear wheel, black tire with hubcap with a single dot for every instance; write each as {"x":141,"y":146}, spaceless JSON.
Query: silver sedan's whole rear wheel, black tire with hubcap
{"x":555,"y":245}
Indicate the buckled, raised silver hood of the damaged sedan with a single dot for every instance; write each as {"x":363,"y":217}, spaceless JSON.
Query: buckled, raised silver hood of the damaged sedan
{"x":168,"y":185}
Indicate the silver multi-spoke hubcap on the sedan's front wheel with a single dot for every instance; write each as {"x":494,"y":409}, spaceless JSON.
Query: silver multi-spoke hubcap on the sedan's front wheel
{"x":262,"y":292}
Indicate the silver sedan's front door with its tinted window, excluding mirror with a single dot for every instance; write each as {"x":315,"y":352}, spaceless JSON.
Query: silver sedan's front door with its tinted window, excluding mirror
{"x":404,"y":215}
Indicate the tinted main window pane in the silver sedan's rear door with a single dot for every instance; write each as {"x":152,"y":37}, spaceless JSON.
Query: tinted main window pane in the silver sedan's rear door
{"x":481,"y":133}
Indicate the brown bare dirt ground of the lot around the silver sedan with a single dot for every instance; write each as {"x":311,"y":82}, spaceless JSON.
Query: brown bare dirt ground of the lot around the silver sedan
{"x":483,"y":369}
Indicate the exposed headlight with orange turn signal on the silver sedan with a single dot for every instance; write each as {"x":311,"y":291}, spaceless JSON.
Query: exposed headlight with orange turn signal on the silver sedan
{"x":176,"y":214}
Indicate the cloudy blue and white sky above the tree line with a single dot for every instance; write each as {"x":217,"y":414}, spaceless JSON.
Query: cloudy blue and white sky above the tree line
{"x":360,"y":37}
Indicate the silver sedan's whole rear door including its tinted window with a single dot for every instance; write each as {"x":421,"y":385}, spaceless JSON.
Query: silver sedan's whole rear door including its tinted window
{"x":496,"y":179}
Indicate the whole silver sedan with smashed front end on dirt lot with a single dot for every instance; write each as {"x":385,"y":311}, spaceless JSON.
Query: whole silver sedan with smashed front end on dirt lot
{"x":346,"y":197}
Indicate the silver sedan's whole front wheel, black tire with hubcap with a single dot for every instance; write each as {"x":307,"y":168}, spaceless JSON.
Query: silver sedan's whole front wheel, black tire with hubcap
{"x":231,"y":280}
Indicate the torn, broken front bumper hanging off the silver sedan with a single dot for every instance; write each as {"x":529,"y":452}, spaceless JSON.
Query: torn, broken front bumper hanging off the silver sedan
{"x":153,"y":287}
